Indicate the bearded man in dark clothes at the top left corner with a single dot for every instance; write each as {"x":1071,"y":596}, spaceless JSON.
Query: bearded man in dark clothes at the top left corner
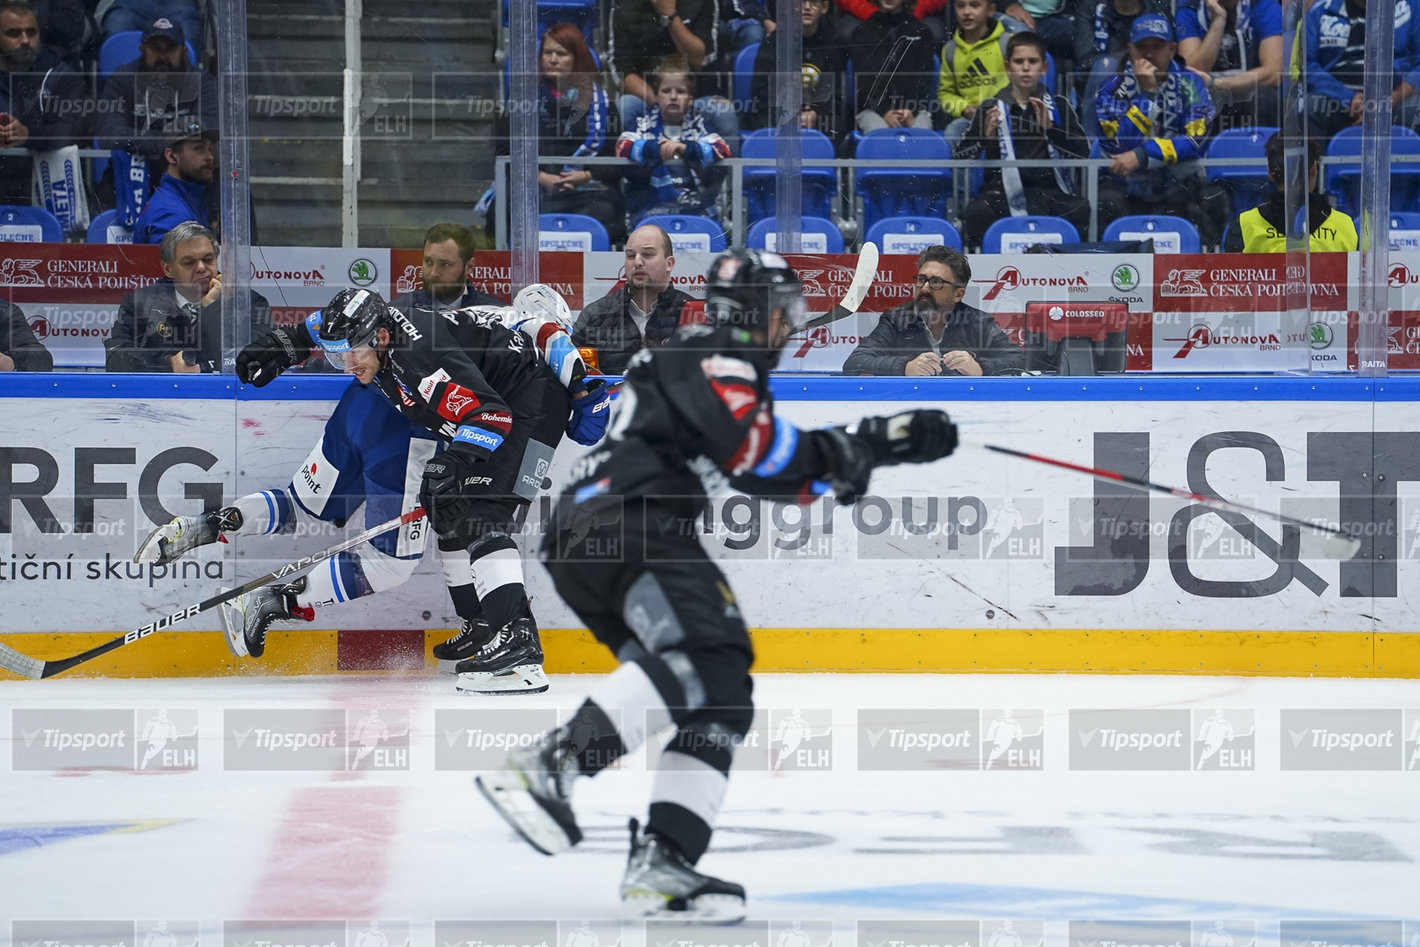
{"x":42,"y":100}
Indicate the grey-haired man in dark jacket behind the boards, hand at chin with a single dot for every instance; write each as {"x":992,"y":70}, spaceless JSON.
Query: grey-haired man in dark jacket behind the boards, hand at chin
{"x":175,"y":324}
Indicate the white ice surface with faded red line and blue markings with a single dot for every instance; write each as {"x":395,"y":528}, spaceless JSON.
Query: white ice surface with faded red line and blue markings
{"x":865,"y":811}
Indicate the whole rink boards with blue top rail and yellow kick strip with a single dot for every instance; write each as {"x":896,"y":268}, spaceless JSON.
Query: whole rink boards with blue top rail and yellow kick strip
{"x":976,"y":563}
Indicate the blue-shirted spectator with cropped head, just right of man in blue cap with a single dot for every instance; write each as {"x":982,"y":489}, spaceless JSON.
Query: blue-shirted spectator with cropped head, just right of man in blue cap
{"x":1238,"y":48}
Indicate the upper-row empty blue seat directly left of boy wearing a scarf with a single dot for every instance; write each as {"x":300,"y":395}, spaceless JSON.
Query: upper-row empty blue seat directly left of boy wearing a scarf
{"x":895,"y":192}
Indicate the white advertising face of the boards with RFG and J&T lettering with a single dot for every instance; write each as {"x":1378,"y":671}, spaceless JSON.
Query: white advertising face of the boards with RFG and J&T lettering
{"x":1034,"y":547}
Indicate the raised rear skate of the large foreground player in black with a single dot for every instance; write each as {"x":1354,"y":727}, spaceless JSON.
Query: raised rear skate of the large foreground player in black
{"x":533,"y":794}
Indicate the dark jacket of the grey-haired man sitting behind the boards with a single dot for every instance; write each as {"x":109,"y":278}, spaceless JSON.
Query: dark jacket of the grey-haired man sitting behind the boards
{"x":151,"y":329}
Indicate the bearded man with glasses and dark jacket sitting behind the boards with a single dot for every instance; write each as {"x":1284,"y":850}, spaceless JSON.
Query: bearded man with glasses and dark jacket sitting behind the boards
{"x":938,"y":334}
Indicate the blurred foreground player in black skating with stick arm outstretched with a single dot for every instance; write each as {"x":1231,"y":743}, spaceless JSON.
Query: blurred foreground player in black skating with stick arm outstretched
{"x":694,"y":418}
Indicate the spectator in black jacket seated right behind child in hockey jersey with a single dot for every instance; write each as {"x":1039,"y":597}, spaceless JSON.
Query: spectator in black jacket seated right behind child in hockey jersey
{"x":645,"y":32}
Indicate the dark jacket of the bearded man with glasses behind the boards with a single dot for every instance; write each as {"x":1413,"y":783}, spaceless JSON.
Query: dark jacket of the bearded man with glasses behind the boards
{"x":901,"y":336}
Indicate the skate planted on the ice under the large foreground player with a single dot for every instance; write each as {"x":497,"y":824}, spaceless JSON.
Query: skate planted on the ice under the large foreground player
{"x":660,"y":882}
